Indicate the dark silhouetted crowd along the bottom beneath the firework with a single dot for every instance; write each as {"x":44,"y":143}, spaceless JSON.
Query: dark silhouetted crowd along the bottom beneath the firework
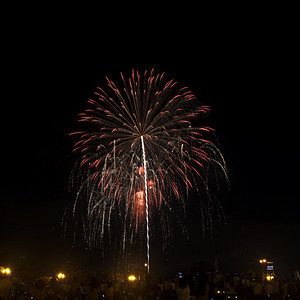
{"x":115,"y":286}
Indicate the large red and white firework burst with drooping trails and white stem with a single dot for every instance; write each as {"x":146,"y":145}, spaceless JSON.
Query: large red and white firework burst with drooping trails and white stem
{"x":142,"y":146}
